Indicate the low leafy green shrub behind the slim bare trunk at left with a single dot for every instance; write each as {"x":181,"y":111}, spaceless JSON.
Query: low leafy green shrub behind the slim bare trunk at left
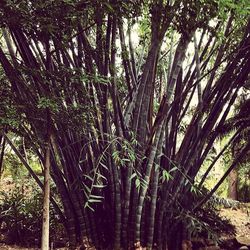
{"x":21,"y":214}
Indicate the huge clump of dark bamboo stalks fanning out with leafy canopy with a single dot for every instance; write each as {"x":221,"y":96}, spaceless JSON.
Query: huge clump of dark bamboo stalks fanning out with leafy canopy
{"x":126,"y":141}
